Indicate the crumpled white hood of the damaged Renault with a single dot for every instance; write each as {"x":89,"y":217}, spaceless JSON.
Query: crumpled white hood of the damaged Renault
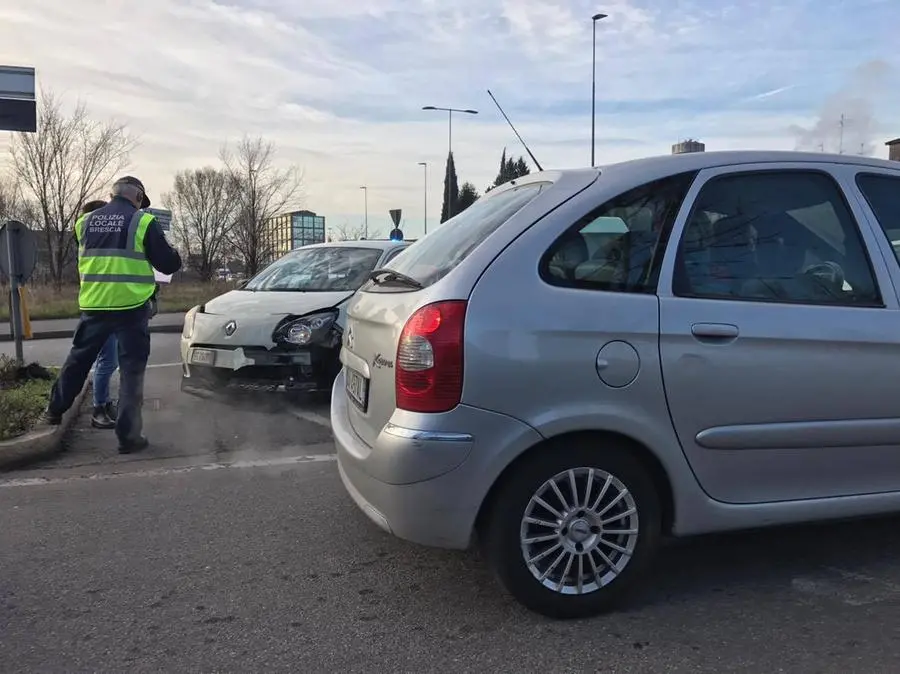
{"x":256,"y":313}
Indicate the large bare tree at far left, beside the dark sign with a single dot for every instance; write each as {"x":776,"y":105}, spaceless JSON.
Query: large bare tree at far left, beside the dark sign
{"x":69,"y":159}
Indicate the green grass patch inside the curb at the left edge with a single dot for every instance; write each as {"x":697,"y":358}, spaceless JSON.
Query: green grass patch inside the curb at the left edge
{"x":24,"y":392}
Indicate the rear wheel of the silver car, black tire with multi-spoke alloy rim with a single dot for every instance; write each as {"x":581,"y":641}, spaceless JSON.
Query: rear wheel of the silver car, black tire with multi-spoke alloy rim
{"x":506,"y":536}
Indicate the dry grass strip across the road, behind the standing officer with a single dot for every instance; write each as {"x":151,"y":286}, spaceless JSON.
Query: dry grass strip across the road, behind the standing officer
{"x":46,"y":302}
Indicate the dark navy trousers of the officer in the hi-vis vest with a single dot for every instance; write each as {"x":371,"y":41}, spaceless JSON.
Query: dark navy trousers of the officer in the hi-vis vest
{"x":132,"y":331}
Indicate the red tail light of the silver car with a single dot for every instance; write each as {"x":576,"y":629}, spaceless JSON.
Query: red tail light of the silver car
{"x":430,"y":358}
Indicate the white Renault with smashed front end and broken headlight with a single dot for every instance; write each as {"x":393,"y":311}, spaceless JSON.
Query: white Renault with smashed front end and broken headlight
{"x":282,"y":329}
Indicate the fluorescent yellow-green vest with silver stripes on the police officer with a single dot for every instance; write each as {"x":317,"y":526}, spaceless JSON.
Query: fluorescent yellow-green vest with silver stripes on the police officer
{"x":115,"y":278}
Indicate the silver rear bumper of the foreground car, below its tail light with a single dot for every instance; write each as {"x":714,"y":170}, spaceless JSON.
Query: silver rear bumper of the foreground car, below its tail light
{"x":439,"y":507}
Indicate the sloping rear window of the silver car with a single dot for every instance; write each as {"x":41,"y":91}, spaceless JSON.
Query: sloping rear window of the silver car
{"x":430,"y":259}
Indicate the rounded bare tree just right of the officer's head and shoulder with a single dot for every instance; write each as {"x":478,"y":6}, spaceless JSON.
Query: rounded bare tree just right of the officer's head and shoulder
{"x":204,"y":204}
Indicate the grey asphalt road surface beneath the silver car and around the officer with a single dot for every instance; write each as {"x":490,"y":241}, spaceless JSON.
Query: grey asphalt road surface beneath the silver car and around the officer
{"x":230,"y":546}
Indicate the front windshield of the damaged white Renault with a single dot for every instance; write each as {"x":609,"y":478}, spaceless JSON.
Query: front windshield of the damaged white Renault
{"x":318,"y":269}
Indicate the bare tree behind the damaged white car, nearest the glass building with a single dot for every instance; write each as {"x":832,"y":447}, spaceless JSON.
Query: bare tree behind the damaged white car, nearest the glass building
{"x":263,"y":191}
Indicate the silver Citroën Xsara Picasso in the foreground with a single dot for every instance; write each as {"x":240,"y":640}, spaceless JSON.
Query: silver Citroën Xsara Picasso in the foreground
{"x":584,"y":362}
